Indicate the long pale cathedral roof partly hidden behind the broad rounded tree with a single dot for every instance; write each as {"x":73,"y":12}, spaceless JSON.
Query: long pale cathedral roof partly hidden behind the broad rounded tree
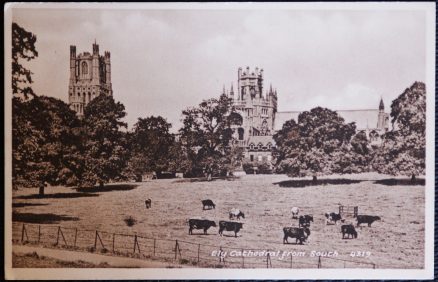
{"x":363,"y":118}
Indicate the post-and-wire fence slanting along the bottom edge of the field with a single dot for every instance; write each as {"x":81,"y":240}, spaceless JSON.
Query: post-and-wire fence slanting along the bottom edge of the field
{"x":179,"y":251}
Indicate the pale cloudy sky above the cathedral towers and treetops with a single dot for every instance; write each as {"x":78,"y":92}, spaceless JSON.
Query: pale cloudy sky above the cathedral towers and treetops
{"x":163,"y":61}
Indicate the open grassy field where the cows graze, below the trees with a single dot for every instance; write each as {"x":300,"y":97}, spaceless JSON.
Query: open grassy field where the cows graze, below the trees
{"x":395,"y":242}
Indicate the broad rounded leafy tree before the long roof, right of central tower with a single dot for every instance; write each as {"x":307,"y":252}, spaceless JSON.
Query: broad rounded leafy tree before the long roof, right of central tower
{"x":315,"y":145}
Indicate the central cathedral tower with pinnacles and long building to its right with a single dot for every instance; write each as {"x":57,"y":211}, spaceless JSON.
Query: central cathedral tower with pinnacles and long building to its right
{"x":260,"y":118}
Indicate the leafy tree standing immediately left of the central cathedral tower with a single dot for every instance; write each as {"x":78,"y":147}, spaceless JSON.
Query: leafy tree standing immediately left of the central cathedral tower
{"x":207,"y":133}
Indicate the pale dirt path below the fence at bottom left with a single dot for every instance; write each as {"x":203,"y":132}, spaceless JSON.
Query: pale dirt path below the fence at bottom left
{"x":96,"y":259}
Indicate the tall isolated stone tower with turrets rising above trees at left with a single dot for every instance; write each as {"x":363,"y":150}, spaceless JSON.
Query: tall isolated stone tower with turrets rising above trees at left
{"x":90,"y":76}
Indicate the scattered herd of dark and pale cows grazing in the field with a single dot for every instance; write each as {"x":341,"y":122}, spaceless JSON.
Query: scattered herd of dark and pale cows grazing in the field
{"x":300,"y":233}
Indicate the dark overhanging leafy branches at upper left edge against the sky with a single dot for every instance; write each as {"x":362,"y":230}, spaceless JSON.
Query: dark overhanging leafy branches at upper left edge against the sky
{"x":23,"y":47}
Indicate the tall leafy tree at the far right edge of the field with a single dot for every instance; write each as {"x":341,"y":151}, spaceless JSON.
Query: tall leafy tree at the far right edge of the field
{"x":403,"y":151}
